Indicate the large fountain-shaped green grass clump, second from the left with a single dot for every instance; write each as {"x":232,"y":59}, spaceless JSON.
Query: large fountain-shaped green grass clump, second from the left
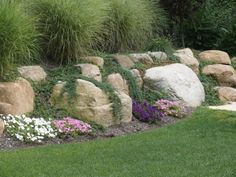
{"x":69,"y":27}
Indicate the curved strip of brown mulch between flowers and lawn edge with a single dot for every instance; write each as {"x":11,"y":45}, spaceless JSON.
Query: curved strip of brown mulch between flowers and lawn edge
{"x":8,"y":143}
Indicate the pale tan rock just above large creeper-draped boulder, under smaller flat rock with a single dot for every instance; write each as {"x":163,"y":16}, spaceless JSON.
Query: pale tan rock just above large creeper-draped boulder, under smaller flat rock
{"x":90,"y":71}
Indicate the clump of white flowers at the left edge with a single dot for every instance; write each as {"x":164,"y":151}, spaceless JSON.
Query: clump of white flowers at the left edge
{"x":28,"y":129}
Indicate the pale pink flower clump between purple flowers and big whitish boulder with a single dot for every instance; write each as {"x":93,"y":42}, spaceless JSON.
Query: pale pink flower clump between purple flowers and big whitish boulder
{"x":171,"y":108}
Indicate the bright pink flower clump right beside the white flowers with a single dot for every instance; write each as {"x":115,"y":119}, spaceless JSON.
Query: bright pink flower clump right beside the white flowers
{"x":72,"y":126}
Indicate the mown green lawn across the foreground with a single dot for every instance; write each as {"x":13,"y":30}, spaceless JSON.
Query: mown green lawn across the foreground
{"x":201,"y":146}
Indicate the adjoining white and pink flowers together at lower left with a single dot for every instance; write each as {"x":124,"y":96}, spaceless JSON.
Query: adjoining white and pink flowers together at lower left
{"x":28,"y":129}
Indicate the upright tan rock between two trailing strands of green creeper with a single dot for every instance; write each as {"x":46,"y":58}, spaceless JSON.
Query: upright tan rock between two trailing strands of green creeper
{"x":117,"y":81}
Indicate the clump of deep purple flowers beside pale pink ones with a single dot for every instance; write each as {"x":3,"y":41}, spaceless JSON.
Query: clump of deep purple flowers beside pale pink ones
{"x":146,"y":112}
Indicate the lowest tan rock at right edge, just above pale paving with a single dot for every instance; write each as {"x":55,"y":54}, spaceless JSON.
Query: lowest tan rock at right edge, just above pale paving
{"x":227,"y":94}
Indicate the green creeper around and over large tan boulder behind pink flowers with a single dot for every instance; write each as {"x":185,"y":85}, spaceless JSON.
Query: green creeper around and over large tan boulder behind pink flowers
{"x":68,"y":74}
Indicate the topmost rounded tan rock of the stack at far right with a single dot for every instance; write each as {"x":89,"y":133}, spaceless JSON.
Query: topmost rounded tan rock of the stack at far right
{"x":217,"y":56}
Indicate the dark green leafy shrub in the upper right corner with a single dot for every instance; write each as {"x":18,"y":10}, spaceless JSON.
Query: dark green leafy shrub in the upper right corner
{"x":212,"y":26}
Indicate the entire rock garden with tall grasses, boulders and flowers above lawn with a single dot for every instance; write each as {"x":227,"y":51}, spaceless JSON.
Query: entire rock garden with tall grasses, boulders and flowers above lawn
{"x":70,"y":72}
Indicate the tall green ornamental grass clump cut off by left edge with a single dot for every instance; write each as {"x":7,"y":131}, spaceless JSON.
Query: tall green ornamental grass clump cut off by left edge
{"x":18,"y":38}
